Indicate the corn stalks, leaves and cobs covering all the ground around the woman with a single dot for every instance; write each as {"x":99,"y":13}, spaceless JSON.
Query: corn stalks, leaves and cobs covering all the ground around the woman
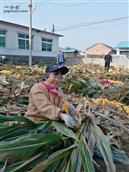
{"x":102,"y":101}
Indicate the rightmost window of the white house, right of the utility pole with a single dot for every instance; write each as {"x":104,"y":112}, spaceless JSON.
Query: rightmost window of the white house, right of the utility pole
{"x":46,"y":44}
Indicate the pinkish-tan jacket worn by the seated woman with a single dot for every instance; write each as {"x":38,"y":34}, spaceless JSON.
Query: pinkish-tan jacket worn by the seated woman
{"x":43,"y":104}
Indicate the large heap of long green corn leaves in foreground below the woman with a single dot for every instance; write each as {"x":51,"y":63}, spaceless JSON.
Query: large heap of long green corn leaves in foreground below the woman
{"x":50,"y":147}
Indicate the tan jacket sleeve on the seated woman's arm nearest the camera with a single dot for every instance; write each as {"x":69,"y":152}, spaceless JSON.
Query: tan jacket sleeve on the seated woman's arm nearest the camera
{"x":45,"y":107}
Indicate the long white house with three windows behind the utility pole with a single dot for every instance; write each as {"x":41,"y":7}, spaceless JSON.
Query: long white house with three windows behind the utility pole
{"x":14,"y":41}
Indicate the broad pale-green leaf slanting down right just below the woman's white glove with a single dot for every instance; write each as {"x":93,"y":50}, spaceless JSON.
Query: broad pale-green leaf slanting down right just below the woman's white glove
{"x":61,"y":128}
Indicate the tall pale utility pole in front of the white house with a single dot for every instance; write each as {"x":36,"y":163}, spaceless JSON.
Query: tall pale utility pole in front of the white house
{"x":30,"y":32}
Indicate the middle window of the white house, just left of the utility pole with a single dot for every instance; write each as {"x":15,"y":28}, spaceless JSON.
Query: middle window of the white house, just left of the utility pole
{"x":23,"y":41}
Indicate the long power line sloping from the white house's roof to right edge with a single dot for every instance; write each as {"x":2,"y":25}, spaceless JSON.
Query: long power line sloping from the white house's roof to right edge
{"x":91,"y":23}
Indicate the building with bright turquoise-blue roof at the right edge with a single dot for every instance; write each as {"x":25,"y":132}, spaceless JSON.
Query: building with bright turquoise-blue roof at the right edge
{"x":123,"y":48}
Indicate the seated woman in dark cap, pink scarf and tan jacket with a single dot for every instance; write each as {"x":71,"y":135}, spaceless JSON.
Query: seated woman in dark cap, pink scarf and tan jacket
{"x":47,"y":99}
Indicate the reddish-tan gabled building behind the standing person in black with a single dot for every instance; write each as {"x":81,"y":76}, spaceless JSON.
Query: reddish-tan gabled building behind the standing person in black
{"x":99,"y":49}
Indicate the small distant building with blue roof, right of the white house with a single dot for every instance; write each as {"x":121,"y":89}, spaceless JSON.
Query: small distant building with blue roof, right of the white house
{"x":70,"y":52}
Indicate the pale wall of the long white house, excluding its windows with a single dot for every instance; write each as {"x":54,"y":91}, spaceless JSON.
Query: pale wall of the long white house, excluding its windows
{"x":12,"y":42}
